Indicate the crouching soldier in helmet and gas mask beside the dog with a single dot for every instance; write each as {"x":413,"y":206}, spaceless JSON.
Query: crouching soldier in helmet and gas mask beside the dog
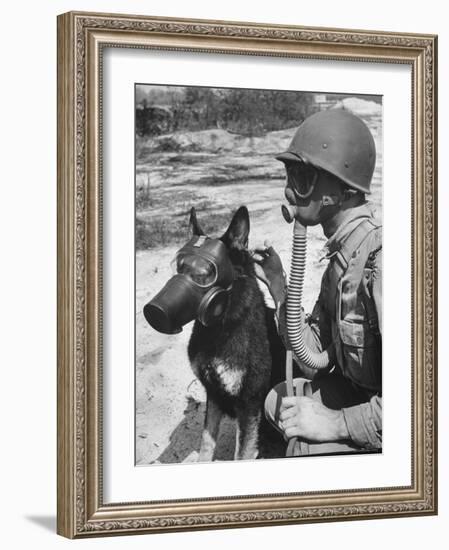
{"x":329,"y":166}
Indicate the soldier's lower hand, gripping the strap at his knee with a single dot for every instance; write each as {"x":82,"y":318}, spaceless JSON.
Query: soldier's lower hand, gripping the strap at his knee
{"x":310,"y":419}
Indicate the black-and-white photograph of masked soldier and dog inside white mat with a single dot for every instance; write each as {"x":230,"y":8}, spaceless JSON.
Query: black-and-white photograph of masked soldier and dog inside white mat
{"x":258,"y":274}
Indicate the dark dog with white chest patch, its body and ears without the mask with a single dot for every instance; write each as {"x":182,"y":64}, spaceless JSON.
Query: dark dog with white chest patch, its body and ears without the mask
{"x":233,"y":359}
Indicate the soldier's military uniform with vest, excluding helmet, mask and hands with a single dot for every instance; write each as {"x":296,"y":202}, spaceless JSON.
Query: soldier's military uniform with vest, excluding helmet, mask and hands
{"x":348,"y":313}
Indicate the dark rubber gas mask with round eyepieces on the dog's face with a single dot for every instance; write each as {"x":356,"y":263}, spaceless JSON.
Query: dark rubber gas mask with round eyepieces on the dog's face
{"x":199,"y":289}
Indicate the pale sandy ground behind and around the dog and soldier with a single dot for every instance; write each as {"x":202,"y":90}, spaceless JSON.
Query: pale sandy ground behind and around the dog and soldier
{"x":170,"y":401}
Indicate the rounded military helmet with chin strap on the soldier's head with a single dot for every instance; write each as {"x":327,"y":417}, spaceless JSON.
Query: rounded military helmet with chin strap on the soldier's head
{"x":336,"y":141}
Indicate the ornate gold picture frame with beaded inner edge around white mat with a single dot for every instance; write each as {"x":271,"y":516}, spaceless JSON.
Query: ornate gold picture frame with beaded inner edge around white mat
{"x":81,"y":37}
